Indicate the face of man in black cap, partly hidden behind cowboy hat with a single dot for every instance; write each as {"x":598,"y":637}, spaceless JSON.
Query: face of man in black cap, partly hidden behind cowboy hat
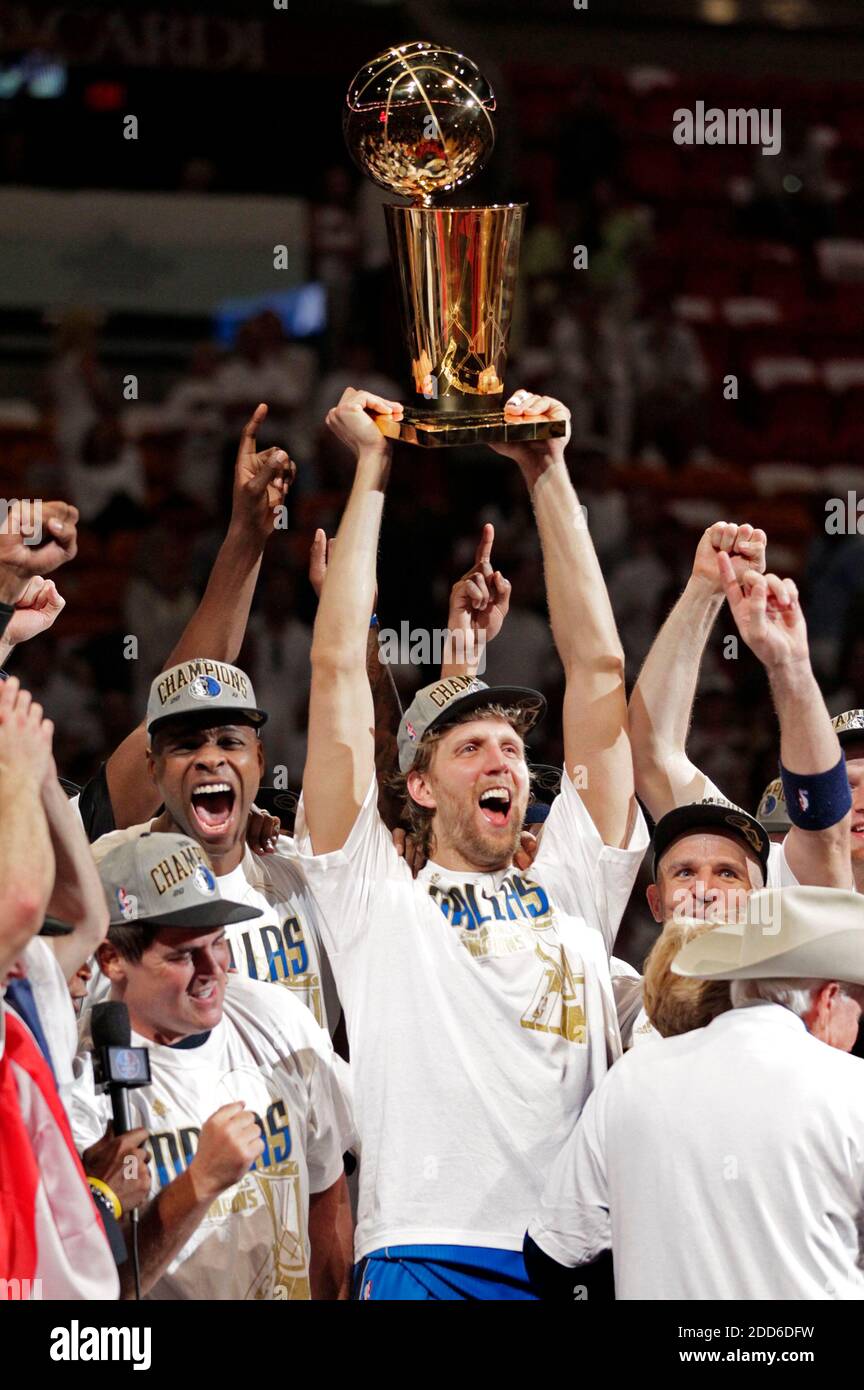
{"x":704,"y":876}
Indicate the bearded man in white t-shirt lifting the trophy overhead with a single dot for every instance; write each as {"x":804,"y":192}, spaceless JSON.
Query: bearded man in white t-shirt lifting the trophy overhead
{"x":479,"y":1000}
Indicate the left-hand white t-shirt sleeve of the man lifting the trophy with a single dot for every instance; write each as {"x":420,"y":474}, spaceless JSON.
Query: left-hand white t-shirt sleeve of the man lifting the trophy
{"x":345,"y":882}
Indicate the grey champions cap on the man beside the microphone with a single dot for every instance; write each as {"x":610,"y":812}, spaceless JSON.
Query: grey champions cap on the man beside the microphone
{"x":166,"y":881}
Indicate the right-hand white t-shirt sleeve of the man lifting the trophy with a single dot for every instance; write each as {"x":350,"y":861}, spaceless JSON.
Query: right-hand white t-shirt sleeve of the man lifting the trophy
{"x":588,"y":878}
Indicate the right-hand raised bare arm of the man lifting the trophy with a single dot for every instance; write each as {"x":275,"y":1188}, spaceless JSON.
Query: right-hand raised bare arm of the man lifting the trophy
{"x":597,"y":739}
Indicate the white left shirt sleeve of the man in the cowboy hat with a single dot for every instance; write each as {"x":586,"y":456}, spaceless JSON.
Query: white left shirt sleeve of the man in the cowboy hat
{"x":573,"y":1224}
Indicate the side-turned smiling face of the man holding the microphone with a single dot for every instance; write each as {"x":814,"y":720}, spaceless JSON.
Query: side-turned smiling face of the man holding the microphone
{"x":177,"y":988}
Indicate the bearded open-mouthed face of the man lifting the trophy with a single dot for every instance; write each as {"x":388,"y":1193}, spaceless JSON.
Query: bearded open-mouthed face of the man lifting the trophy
{"x":477,"y":785}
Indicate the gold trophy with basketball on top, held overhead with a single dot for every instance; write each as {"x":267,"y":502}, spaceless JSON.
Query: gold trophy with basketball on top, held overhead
{"x":419,"y":123}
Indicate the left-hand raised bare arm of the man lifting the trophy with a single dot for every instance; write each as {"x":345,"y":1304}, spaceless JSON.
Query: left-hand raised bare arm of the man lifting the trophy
{"x":341,"y":754}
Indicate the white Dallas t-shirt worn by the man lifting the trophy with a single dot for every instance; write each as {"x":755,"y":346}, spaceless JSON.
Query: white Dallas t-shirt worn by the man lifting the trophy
{"x":480,"y":1013}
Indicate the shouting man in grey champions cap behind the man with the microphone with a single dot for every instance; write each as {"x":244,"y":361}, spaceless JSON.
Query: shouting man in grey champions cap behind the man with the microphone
{"x":206,"y":761}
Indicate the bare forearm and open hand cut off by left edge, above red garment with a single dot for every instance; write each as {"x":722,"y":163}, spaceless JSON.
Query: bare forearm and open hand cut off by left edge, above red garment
{"x":27,"y":860}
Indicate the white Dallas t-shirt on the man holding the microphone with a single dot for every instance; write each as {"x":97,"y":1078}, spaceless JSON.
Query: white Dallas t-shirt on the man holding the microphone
{"x":270,"y":1054}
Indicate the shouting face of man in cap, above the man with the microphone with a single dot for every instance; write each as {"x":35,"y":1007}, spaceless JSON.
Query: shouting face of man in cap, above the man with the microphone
{"x":209,"y":779}
